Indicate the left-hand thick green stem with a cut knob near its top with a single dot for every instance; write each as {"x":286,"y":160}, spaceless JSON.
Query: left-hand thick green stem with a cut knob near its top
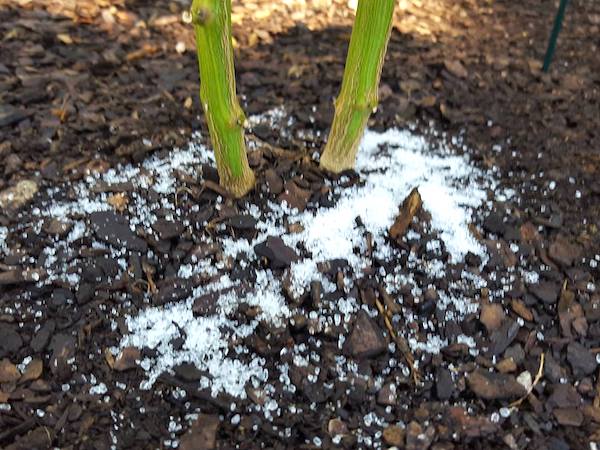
{"x":226,"y":120}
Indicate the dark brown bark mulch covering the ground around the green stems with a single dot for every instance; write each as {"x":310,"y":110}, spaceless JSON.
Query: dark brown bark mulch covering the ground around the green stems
{"x":89,"y":85}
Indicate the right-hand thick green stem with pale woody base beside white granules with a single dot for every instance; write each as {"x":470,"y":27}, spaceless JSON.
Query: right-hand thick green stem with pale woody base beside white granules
{"x":359,"y":93}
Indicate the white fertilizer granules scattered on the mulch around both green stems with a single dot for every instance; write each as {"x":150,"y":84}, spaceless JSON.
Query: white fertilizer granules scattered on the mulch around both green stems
{"x":390,"y":165}
